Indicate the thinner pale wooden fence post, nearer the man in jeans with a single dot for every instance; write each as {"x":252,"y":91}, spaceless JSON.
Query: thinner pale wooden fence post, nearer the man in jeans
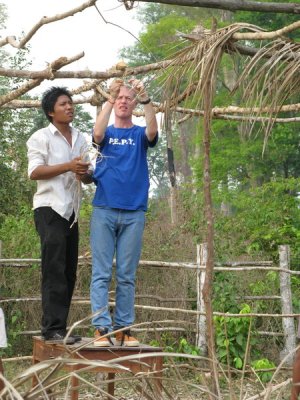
{"x":201,"y":318}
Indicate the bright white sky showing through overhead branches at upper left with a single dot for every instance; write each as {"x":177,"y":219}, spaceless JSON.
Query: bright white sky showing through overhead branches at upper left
{"x":85,"y":31}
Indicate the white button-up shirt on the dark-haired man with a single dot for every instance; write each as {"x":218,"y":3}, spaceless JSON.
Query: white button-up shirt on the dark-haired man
{"x":48,"y":146}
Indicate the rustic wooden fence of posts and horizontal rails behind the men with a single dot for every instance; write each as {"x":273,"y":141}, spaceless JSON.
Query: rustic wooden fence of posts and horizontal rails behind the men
{"x":285,"y":295}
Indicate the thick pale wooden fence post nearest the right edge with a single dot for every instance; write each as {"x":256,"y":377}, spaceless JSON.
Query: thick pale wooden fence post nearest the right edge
{"x":286,"y":305}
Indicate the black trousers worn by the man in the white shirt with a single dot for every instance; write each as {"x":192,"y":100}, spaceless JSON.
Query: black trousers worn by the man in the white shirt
{"x":59,"y":253}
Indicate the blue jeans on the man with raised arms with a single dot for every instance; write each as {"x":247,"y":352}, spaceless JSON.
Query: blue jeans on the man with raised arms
{"x":120,"y":233}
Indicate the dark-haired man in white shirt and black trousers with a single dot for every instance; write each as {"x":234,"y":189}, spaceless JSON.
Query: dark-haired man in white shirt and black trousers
{"x":56,"y":160}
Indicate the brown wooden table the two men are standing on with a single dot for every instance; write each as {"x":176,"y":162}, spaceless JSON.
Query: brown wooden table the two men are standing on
{"x":150,"y":359}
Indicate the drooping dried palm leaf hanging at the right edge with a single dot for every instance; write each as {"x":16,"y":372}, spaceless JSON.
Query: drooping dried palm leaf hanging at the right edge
{"x":272,"y":77}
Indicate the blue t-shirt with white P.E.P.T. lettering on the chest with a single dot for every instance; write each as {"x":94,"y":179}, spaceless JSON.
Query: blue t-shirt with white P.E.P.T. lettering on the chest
{"x":121,"y":172}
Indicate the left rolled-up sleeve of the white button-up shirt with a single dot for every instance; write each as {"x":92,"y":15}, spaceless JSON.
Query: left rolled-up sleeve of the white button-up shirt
{"x":37,"y":151}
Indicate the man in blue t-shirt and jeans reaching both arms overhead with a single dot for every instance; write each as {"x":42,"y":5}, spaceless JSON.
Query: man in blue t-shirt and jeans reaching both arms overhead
{"x":119,"y":206}
